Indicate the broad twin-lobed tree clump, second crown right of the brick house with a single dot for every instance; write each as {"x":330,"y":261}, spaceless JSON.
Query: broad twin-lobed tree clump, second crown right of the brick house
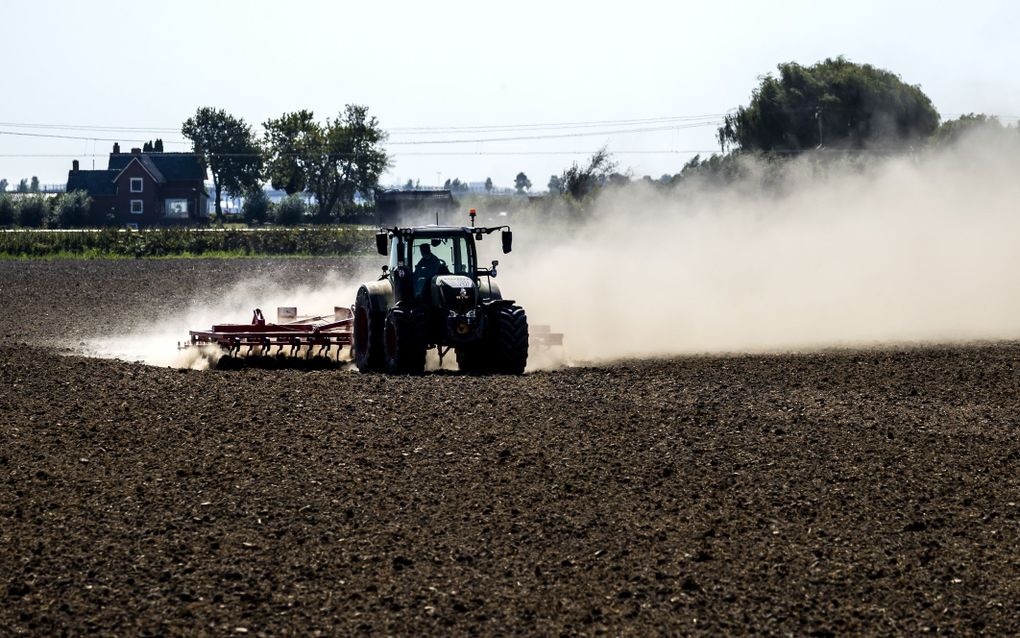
{"x":335,"y":161}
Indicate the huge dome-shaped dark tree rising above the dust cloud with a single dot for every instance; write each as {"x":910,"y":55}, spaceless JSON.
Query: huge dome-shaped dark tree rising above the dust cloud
{"x":835,"y":104}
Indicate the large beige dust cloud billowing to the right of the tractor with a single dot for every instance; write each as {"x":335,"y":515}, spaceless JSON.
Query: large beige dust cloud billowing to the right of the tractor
{"x":903,"y":251}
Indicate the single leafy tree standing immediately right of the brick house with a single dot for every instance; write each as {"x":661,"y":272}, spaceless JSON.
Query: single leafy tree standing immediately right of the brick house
{"x":227,"y":148}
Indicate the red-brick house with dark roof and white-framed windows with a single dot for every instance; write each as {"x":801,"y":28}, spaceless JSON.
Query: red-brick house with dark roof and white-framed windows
{"x":143,"y":188}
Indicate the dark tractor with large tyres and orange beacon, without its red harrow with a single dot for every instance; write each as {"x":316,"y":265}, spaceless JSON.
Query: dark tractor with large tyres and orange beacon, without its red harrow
{"x":434,"y":295}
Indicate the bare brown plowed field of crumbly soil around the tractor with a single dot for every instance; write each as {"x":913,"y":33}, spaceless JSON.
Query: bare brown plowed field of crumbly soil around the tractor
{"x":872,"y":493}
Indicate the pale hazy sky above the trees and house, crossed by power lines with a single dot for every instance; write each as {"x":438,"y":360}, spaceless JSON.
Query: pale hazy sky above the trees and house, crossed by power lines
{"x":492,"y":70}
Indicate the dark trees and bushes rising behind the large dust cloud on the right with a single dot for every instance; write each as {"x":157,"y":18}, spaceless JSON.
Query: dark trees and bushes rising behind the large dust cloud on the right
{"x":835,"y":108}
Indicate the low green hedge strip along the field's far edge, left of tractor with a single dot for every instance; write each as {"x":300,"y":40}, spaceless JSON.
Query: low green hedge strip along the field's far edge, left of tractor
{"x":114,"y":244}
